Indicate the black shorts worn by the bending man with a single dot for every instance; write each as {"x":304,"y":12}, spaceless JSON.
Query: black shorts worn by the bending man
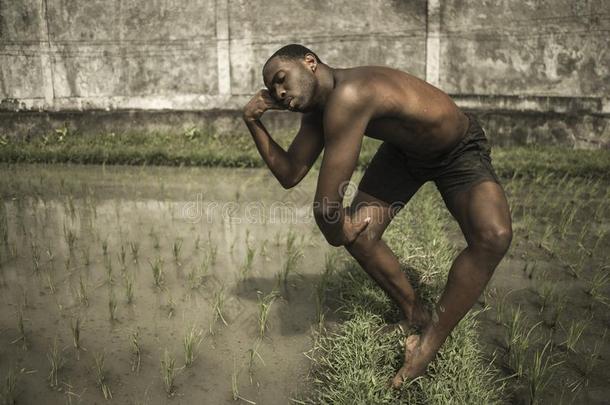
{"x":395,"y":178}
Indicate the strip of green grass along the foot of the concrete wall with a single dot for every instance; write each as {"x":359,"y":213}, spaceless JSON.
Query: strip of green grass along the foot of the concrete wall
{"x":194,"y":148}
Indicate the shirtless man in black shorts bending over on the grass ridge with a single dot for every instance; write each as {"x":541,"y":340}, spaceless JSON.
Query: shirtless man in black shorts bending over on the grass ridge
{"x":426,"y":137}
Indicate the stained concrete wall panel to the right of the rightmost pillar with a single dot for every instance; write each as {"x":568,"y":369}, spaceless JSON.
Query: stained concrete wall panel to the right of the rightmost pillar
{"x":535,"y":47}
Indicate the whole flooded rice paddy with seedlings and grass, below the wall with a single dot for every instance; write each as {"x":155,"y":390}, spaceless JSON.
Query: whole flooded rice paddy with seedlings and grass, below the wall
{"x":140,"y":284}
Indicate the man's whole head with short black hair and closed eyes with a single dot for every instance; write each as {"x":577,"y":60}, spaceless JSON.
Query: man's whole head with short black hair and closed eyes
{"x":289,"y":74}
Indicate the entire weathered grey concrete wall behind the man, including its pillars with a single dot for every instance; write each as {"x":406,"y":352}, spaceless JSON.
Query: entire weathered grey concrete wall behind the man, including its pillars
{"x":530,"y":64}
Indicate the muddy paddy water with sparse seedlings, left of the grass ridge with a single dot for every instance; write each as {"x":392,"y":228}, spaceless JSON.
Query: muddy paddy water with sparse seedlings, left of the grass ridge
{"x":75,"y":219}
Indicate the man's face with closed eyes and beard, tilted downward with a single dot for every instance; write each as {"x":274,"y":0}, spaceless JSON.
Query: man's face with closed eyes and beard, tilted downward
{"x":292,"y":82}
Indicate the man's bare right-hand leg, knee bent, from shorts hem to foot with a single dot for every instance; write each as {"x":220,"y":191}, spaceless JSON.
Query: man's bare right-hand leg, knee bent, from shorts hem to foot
{"x":484,"y":218}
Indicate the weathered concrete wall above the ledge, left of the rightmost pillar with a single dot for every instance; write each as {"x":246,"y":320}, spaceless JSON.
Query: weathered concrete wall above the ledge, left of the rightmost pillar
{"x":185,"y":54}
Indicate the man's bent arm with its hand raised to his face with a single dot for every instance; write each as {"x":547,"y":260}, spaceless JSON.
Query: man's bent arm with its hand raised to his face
{"x":289,"y":167}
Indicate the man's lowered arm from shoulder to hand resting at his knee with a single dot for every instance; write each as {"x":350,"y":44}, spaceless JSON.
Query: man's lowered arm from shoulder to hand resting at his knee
{"x":345,"y":120}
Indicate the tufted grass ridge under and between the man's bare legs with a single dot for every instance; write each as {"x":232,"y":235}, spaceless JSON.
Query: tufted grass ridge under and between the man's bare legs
{"x":352,"y":363}
